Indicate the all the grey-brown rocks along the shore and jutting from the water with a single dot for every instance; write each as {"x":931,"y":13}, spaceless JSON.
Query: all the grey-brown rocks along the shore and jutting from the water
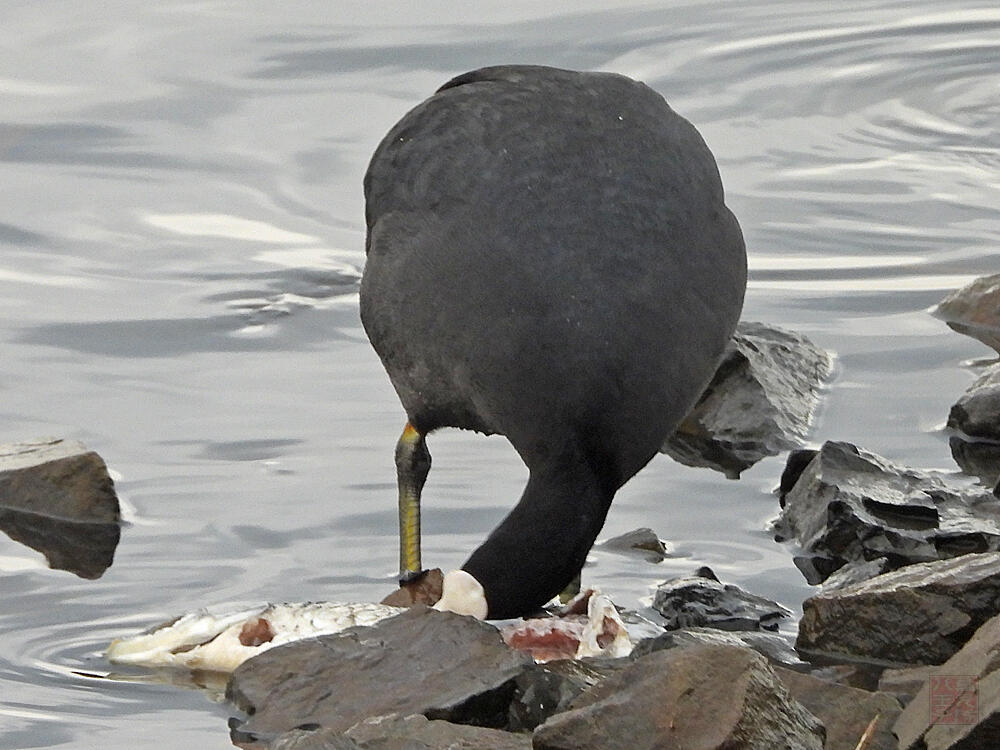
{"x":898,"y":649}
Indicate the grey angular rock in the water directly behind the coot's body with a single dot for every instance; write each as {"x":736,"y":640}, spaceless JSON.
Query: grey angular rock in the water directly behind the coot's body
{"x":760,"y":402}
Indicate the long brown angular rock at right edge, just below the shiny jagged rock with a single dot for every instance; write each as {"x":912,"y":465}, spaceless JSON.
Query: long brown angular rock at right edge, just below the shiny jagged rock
{"x":920,"y":614}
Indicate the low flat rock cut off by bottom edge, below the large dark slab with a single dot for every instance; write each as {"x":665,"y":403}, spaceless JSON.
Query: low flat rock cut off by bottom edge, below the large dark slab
{"x":394,"y":732}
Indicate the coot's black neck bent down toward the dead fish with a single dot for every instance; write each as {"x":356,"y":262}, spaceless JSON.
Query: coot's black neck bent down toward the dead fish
{"x":538,"y":549}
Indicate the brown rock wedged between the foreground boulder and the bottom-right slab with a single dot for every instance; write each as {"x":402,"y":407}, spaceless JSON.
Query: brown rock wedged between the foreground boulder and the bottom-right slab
{"x":844,"y":711}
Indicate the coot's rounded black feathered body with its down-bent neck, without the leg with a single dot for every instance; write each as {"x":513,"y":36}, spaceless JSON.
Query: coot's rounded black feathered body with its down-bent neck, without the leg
{"x":549,"y":258}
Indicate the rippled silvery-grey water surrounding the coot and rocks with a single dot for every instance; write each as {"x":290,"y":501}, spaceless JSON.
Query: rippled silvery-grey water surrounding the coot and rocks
{"x":181,"y":234}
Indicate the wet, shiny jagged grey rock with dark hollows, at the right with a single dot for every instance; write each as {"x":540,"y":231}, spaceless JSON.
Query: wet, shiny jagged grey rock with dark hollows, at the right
{"x":851,"y":505}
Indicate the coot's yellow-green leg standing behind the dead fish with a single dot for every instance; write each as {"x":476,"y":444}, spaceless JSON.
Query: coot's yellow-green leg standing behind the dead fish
{"x":413,"y":462}
